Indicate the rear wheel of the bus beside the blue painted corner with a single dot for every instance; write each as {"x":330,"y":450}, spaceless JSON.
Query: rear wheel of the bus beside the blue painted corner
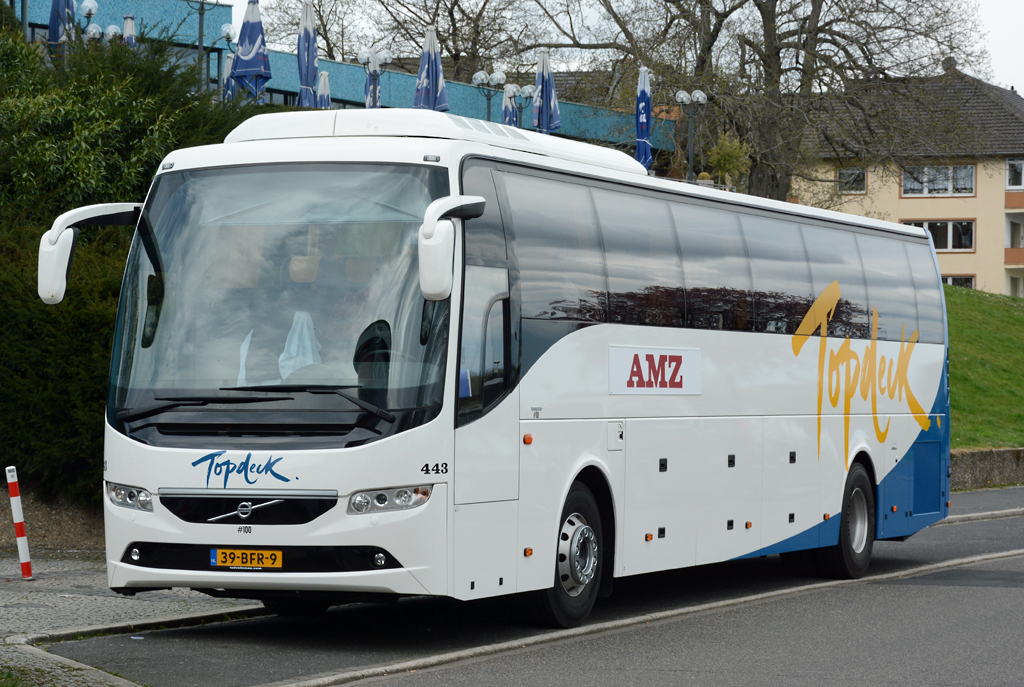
{"x":849,"y":559}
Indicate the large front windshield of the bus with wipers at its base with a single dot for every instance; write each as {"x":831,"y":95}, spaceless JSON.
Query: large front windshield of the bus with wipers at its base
{"x":302,"y":277}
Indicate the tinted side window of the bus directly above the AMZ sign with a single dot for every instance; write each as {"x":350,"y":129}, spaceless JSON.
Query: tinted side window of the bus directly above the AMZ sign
{"x":646,"y":279}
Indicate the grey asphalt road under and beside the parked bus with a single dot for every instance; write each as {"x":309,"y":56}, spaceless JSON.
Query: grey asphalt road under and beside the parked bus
{"x":958,"y":626}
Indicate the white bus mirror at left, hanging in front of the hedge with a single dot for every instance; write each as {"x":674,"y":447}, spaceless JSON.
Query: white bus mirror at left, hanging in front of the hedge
{"x":57,"y":248}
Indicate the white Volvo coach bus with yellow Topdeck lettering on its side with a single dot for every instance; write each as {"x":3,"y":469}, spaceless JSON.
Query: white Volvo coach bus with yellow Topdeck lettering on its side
{"x":402,"y":353}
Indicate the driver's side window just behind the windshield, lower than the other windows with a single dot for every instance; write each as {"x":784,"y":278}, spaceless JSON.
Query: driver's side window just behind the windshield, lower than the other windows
{"x":484,"y":356}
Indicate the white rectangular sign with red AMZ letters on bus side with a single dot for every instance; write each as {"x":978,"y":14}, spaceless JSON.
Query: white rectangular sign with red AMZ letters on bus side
{"x":654,"y":371}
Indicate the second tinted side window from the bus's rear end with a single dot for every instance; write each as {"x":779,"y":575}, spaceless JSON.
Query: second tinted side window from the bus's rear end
{"x":890,"y":287}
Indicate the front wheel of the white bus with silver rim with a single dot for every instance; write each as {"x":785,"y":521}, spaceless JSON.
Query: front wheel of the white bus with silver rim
{"x":578,"y":563}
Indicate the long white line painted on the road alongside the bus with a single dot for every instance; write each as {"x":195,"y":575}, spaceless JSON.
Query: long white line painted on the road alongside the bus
{"x":599,"y":628}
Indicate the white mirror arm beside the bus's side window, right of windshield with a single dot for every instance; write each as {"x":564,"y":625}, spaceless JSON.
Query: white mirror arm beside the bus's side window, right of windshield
{"x":437,"y":243}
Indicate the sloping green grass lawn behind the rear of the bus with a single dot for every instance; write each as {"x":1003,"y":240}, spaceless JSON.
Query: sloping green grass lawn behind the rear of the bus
{"x":987,"y":369}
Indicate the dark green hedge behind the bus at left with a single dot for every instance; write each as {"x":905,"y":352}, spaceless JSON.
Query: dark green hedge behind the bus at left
{"x":88,"y":126}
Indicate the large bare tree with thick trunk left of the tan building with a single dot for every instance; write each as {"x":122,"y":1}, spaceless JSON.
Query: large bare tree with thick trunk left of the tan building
{"x":787,"y":76}
